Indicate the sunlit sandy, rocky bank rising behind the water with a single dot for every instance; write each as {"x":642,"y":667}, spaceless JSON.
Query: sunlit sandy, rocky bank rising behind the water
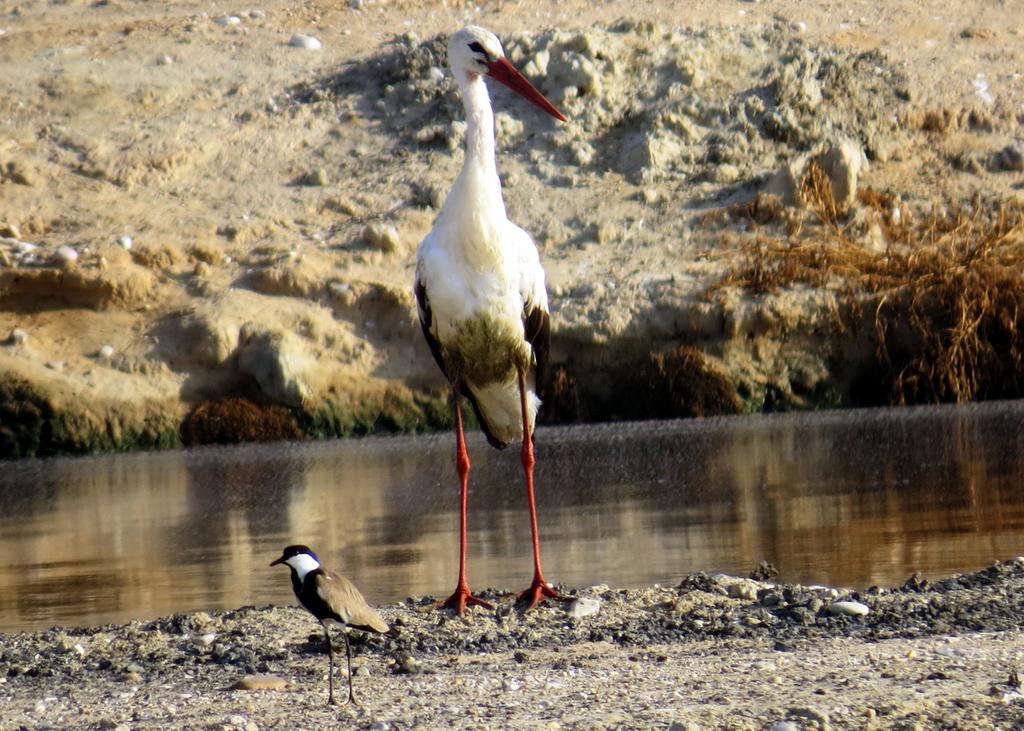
{"x":191,"y":207}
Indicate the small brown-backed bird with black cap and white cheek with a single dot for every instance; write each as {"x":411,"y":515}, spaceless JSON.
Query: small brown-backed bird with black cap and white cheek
{"x":333,"y":600}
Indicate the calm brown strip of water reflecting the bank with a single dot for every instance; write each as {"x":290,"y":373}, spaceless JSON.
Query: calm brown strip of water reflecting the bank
{"x":851,"y":498}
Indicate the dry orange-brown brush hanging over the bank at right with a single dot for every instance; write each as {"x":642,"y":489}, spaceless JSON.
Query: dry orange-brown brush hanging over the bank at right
{"x":948,"y":290}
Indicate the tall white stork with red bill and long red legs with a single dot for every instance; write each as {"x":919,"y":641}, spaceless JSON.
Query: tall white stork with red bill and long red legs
{"x":481,"y":291}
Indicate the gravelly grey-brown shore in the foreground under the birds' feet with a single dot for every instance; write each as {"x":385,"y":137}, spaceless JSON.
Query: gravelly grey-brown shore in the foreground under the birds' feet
{"x":711,"y":653}
